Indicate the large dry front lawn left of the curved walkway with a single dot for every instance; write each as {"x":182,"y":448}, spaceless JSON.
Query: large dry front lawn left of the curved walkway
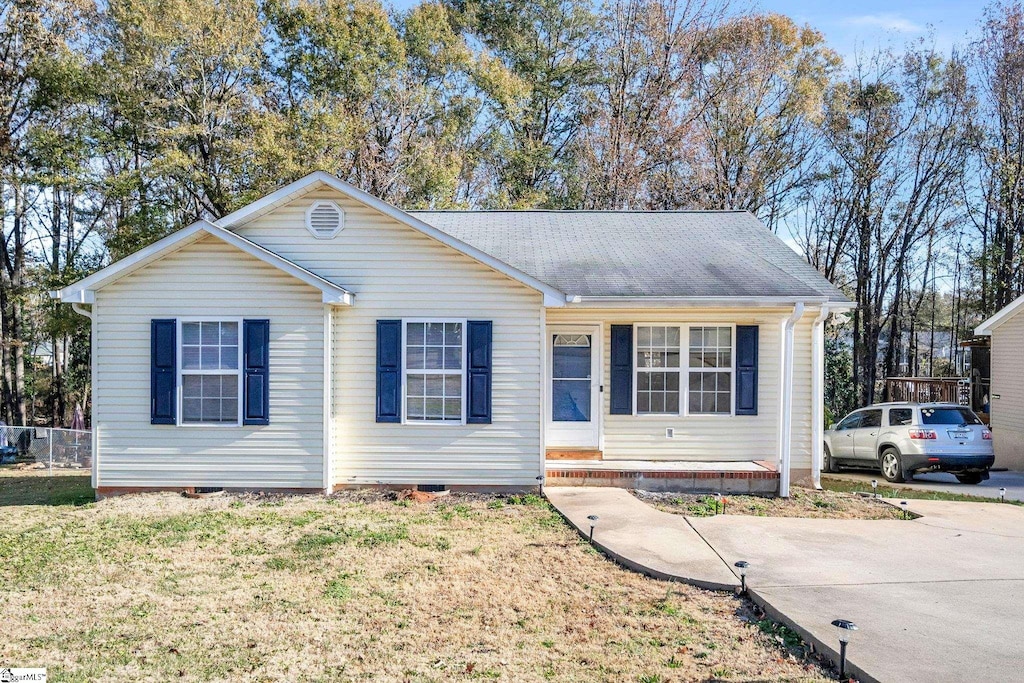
{"x":157,"y":587}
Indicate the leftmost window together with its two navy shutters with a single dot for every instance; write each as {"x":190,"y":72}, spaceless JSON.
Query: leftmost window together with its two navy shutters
{"x":210,"y":372}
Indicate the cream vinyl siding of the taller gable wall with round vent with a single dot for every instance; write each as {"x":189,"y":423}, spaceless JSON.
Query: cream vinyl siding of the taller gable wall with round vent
{"x":400,"y":274}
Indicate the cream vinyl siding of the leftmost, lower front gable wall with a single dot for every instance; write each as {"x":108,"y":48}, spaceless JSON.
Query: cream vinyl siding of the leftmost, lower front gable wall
{"x":214,"y":281}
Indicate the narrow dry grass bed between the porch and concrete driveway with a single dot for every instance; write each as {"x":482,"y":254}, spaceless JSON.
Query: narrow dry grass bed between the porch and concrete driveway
{"x":802,"y":503}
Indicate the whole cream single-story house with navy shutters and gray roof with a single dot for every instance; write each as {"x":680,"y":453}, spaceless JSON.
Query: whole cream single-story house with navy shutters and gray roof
{"x":322,"y":338}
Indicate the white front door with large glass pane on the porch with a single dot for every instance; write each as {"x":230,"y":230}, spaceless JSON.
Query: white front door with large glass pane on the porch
{"x":574,"y":400}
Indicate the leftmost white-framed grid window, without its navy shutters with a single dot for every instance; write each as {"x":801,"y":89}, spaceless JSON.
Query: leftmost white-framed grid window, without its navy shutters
{"x":211,"y":377}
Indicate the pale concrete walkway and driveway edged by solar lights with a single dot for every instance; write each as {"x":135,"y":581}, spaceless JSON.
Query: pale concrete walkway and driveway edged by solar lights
{"x":940,"y":599}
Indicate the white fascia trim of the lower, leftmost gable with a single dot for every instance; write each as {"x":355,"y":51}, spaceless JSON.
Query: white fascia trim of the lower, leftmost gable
{"x":84,"y":290}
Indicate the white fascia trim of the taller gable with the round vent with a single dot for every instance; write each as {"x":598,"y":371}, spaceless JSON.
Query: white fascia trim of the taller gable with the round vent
{"x":552,"y":297}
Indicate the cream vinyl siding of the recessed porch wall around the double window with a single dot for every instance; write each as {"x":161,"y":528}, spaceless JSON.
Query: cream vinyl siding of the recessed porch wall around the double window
{"x":708,"y":438}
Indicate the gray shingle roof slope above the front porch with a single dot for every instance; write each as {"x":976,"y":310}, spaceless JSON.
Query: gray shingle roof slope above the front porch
{"x":641,"y":253}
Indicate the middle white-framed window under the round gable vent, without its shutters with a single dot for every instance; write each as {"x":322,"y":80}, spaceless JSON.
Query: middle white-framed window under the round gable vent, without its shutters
{"x":435,"y":385}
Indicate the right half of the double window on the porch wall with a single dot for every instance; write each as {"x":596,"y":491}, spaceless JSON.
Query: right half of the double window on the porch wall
{"x":711,"y":371}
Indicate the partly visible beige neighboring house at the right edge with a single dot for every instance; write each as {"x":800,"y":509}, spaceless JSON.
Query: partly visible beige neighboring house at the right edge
{"x":1007,"y":399}
